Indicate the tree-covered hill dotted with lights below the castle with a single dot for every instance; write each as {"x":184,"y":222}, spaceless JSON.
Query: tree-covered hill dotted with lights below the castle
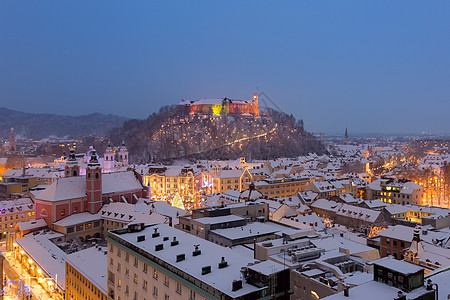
{"x":173,"y":133}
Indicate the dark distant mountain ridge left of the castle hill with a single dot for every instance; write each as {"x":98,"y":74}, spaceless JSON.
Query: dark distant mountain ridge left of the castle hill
{"x":38,"y":126}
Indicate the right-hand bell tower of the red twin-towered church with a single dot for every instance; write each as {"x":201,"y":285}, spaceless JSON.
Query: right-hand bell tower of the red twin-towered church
{"x":94,"y":184}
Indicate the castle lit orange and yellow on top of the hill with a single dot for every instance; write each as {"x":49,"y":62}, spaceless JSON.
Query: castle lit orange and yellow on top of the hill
{"x":222,"y":107}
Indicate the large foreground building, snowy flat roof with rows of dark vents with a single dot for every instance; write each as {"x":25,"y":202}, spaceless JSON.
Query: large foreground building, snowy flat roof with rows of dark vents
{"x":160,"y":262}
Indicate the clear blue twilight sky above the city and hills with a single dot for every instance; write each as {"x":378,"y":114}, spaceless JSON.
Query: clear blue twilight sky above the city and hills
{"x":378,"y":66}
